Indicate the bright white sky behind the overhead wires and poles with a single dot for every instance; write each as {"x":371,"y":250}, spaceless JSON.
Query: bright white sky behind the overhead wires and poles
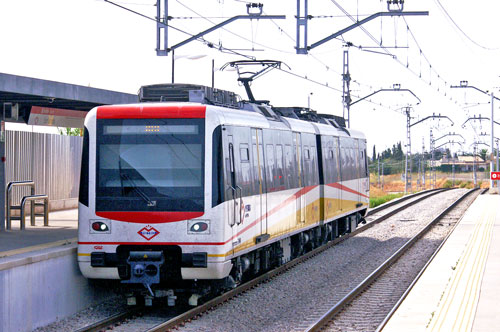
{"x":94,"y":43}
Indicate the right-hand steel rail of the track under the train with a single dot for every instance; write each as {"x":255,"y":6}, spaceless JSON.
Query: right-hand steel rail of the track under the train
{"x":199,"y":310}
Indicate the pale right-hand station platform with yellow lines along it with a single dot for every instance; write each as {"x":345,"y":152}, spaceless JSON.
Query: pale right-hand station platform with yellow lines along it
{"x":460,"y":289}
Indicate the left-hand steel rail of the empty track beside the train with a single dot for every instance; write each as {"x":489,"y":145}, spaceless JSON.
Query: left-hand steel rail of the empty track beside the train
{"x":327,"y":317}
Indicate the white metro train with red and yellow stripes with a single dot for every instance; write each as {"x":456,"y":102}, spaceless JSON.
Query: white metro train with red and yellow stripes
{"x":193,"y":191}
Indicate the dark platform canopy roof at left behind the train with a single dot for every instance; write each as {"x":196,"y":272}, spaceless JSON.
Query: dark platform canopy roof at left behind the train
{"x":28,"y":92}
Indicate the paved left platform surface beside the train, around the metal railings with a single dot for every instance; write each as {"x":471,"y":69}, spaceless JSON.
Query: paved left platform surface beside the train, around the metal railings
{"x":63,"y":228}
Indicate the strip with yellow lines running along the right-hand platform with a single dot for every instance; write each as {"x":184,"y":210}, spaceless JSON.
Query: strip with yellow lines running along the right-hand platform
{"x":463,"y":290}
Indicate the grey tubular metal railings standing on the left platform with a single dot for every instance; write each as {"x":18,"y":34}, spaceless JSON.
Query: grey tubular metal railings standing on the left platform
{"x":31,"y":198}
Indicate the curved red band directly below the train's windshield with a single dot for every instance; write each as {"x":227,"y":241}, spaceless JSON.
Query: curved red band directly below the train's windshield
{"x":148,"y":217}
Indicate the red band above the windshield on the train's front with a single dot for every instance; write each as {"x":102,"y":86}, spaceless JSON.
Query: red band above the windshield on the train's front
{"x":145,"y":111}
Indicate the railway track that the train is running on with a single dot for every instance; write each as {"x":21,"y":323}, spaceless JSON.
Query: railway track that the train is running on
{"x":141,"y":319}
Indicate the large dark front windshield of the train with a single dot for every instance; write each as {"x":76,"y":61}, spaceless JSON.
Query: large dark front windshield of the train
{"x":150,"y":165}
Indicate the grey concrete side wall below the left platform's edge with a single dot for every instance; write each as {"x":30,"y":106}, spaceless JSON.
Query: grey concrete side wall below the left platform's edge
{"x":38,"y":288}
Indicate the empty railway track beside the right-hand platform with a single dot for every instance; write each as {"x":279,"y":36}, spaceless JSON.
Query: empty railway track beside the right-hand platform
{"x":386,"y":287}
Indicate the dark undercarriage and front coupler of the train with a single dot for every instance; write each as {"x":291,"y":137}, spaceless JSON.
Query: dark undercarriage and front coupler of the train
{"x":149,"y":273}
